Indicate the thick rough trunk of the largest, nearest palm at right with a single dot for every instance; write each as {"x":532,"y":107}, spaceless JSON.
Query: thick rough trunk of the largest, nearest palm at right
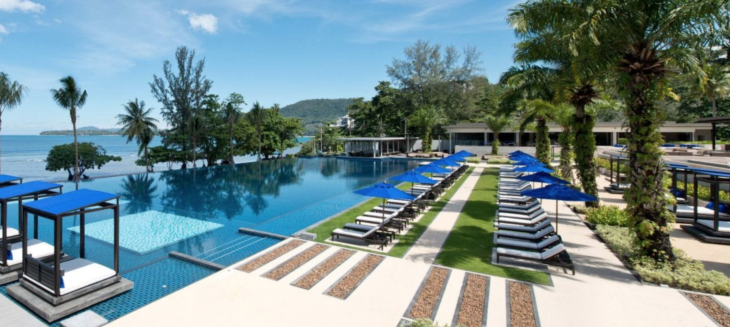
{"x":645,"y":198}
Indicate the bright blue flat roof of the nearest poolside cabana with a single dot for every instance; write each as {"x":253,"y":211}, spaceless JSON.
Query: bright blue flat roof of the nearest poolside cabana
{"x":71,"y":201}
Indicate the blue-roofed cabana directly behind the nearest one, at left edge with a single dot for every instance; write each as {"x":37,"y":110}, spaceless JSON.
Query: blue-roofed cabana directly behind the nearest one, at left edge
{"x":11,"y":260}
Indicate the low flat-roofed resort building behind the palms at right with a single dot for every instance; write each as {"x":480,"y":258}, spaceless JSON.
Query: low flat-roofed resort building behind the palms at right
{"x":607,"y":134}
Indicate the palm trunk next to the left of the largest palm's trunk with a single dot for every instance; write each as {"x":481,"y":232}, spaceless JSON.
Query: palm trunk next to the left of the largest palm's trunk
{"x":584,"y":142}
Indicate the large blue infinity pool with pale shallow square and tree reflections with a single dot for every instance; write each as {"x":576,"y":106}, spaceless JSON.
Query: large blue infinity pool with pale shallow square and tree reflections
{"x":279,"y":196}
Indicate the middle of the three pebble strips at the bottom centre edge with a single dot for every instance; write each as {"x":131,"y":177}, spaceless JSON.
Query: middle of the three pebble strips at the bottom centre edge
{"x":471,"y":311}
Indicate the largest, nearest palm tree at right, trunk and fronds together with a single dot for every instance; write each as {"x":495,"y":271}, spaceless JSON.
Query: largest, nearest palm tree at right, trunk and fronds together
{"x":640,"y":39}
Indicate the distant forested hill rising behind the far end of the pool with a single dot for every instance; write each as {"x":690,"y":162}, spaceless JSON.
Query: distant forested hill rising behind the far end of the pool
{"x":316,"y":111}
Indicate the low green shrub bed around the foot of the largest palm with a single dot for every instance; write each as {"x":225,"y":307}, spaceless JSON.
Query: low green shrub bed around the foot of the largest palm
{"x":684,"y":272}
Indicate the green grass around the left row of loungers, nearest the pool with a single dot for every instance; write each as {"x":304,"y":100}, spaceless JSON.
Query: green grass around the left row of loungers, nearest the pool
{"x":405,"y":241}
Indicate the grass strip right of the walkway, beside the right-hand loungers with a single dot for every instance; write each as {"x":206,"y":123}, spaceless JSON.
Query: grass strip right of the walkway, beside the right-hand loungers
{"x":469,"y":245}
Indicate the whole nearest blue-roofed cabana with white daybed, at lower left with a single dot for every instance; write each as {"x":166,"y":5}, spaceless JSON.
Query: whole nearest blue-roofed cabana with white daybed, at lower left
{"x":62,"y":285}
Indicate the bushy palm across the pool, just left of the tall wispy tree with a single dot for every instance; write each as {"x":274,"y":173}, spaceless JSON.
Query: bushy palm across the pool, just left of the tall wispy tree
{"x":137,"y":123}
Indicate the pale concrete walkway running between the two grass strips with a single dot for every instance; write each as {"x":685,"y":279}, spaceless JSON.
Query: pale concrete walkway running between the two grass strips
{"x":427,"y":248}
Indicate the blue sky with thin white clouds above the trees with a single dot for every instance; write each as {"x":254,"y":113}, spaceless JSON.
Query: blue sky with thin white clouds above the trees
{"x":271,"y":51}
